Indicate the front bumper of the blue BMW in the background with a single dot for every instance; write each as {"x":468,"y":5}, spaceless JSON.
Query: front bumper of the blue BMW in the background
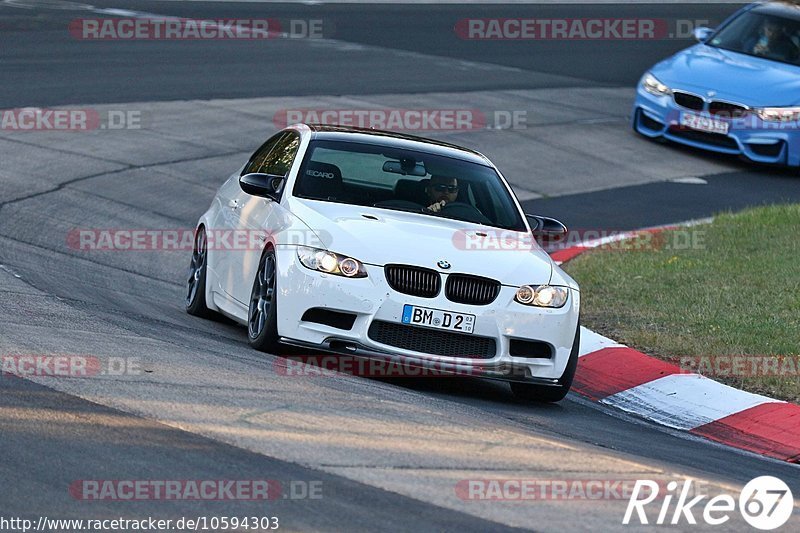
{"x":750,"y":137}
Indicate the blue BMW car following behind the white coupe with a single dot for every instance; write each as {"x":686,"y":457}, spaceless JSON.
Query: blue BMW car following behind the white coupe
{"x":736,"y":92}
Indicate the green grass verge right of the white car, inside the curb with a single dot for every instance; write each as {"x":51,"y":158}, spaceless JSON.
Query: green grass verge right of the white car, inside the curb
{"x":722,"y":299}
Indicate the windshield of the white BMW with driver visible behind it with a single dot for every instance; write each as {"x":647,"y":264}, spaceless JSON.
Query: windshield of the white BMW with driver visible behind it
{"x":406,"y":180}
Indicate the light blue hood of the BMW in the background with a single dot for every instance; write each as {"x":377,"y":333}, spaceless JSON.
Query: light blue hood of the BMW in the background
{"x":745,"y":79}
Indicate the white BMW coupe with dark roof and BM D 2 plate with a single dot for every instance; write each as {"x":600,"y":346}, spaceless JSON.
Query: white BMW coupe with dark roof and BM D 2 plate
{"x":387,"y":246}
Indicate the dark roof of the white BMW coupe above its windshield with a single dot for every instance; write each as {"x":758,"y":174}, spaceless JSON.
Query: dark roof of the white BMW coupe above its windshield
{"x":329,"y":132}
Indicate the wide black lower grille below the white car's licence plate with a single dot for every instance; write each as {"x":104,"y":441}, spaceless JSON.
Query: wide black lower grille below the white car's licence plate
{"x":431,"y":341}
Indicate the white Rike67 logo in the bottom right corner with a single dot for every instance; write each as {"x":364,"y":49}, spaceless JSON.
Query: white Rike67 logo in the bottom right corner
{"x":766,"y":503}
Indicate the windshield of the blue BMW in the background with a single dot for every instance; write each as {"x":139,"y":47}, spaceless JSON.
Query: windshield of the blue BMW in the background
{"x":762,"y":34}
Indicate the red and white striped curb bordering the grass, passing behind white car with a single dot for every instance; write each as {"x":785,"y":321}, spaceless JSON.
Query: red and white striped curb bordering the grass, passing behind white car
{"x":621,"y":377}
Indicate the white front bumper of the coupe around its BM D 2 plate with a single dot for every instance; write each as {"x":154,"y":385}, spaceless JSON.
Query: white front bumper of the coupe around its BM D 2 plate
{"x":371,"y":299}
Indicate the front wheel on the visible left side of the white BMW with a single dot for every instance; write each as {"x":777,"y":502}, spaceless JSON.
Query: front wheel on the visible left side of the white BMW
{"x":262,"y":315}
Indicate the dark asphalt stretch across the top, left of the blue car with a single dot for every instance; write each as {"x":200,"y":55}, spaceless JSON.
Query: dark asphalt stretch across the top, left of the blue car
{"x":44,"y":65}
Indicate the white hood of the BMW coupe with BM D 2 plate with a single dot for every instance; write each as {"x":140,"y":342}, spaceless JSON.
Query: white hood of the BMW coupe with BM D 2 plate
{"x":381,"y":236}
